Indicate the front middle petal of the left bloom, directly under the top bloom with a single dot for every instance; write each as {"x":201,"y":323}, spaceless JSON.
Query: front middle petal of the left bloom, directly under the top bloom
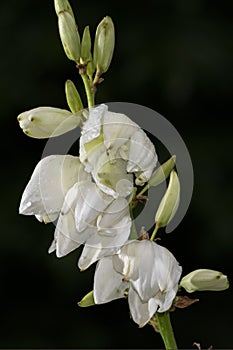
{"x":90,"y":203}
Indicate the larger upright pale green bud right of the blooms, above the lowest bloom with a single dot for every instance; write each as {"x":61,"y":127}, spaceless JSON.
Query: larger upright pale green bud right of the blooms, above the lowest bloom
{"x":170,"y":201}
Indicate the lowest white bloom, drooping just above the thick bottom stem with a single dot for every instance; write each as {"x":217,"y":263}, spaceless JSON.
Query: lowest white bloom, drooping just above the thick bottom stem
{"x":147,"y":271}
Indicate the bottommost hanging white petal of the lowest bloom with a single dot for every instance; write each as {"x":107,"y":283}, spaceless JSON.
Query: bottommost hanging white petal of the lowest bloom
{"x":141,"y":312}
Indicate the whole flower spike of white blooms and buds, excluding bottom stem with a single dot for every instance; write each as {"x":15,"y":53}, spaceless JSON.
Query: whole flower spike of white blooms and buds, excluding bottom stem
{"x":92,"y":196}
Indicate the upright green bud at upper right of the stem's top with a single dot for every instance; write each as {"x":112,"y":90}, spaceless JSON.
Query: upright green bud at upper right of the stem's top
{"x":104,"y":44}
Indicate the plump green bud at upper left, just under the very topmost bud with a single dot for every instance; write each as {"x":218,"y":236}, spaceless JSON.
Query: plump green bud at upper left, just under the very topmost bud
{"x":69,"y":35}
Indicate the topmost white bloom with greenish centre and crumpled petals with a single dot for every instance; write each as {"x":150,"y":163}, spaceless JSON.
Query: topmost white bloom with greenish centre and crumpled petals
{"x":110,"y":138}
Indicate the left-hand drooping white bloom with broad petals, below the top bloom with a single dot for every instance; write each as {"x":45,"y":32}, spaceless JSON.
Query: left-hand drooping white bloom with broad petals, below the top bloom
{"x":60,"y":188}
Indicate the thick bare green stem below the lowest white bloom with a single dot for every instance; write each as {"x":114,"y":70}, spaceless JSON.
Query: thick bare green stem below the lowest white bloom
{"x":166,"y":331}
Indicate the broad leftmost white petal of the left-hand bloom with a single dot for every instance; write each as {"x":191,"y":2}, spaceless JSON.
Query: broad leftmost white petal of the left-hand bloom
{"x":45,"y":192}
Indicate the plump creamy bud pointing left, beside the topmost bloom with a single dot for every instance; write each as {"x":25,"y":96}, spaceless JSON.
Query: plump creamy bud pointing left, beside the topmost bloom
{"x":44,"y":122}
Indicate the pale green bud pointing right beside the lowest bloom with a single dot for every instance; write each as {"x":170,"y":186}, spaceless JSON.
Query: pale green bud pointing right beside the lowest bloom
{"x":204,"y":279}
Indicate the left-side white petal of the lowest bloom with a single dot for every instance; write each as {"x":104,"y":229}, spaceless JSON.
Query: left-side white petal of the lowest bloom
{"x":108,"y":284}
